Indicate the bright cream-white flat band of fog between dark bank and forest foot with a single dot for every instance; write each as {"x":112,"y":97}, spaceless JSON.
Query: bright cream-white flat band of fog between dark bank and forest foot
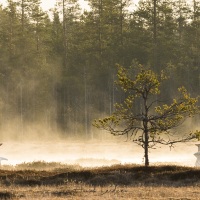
{"x":94,"y":153}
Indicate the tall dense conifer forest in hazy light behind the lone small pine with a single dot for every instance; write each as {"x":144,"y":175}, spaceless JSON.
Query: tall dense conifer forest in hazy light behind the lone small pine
{"x":59,"y":67}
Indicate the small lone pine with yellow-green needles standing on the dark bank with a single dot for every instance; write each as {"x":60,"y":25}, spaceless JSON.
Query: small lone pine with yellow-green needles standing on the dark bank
{"x":155,"y":122}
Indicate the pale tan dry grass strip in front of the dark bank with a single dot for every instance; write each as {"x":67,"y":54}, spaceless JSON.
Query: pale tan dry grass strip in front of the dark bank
{"x":81,"y":191}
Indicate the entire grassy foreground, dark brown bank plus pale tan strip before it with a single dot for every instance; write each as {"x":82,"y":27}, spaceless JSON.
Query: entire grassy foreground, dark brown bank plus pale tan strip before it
{"x":53,"y":181}
